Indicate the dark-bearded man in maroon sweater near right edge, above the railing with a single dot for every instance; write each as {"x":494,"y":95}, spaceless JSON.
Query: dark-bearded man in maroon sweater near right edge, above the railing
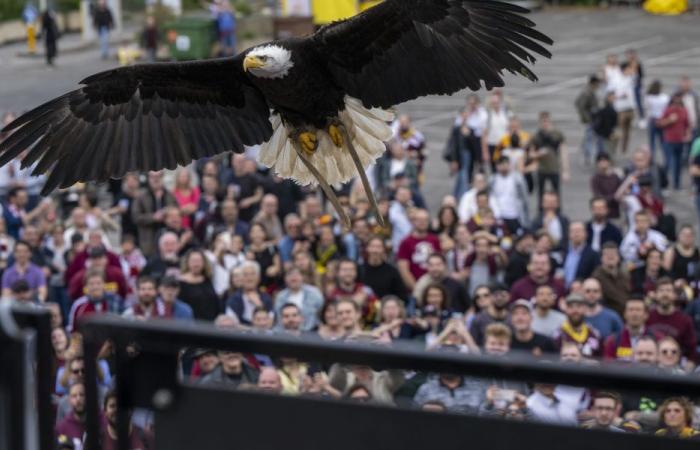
{"x":667,"y":320}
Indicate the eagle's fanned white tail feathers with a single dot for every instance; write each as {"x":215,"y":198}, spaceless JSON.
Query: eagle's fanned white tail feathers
{"x":368,"y":130}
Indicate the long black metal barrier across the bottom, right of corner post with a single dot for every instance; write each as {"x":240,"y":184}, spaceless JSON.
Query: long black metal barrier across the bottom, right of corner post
{"x":146,"y":362}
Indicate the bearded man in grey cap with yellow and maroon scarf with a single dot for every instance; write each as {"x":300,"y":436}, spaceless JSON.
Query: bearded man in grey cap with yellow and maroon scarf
{"x":576,"y":330}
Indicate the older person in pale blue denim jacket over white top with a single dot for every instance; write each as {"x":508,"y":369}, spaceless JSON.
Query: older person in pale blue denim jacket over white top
{"x":308,"y":299}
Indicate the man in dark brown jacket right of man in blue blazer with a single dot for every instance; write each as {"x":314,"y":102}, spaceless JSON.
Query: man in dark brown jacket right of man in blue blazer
{"x":614,"y":279}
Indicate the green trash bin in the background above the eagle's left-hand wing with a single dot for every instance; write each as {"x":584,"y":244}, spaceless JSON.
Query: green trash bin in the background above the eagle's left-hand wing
{"x":191,"y":38}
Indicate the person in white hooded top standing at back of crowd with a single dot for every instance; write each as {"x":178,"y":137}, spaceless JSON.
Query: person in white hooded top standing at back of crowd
{"x":509,"y":190}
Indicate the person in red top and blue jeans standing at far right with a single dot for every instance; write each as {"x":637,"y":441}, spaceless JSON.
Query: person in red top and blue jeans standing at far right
{"x":676,"y":128}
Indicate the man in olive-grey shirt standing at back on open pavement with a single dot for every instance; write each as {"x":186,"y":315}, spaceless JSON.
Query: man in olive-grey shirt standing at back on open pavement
{"x":549,"y":151}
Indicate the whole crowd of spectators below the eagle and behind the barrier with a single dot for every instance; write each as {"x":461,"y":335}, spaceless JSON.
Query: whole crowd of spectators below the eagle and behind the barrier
{"x":498,"y":269}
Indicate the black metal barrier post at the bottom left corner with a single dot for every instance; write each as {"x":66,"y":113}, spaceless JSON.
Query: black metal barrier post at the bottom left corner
{"x":25,"y":393}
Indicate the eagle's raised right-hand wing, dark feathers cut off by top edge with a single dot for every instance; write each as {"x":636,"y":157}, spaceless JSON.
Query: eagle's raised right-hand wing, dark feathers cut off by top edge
{"x":403,"y":49}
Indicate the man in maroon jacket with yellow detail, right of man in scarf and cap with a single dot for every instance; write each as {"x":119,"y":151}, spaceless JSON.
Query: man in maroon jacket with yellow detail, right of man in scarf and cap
{"x":619,"y":346}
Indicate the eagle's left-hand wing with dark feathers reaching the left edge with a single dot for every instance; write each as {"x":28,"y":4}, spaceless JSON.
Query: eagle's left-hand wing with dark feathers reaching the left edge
{"x":144,"y":117}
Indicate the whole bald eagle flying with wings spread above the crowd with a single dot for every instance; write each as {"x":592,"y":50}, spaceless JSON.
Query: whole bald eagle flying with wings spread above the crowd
{"x":318,"y":105}
